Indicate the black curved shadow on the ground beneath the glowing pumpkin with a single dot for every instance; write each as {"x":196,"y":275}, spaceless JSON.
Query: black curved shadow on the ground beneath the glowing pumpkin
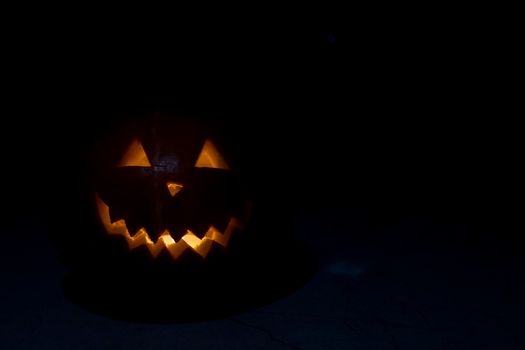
{"x":191,"y":292}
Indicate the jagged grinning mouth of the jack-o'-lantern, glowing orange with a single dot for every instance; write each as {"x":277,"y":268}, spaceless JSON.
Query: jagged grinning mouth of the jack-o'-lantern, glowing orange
{"x":165,"y":240}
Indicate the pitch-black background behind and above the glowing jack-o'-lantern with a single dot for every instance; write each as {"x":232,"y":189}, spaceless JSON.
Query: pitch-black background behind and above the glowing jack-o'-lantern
{"x":389,"y":114}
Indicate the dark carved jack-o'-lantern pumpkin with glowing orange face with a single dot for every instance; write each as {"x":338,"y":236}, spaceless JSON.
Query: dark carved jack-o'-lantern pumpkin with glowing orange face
{"x":170,"y":186}
